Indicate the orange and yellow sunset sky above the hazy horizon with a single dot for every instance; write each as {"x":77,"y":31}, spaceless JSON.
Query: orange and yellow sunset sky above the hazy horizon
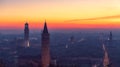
{"x":60,"y":14}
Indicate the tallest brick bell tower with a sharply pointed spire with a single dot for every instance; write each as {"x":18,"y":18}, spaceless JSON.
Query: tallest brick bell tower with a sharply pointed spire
{"x":45,"y":51}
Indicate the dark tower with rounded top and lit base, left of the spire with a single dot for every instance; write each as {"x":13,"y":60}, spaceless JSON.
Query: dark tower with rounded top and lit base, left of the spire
{"x":26,"y":35}
